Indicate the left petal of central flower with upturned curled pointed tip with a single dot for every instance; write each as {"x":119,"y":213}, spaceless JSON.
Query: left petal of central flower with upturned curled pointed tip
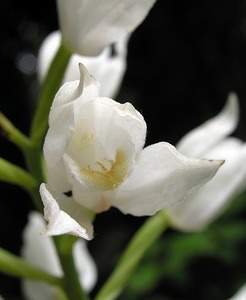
{"x":63,"y":114}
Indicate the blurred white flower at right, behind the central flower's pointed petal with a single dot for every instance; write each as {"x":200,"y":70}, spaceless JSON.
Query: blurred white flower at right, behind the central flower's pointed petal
{"x":211,"y":140}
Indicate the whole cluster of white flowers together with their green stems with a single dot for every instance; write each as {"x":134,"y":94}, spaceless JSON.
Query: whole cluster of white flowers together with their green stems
{"x":86,"y":153}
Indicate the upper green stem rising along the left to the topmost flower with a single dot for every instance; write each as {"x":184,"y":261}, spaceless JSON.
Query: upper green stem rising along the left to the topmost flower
{"x":51,"y":84}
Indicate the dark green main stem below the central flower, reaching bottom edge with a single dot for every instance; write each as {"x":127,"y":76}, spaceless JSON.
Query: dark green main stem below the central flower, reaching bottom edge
{"x":71,"y":283}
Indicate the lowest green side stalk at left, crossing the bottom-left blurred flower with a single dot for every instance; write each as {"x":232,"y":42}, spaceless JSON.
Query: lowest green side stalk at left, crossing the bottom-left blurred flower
{"x":15,"y":266}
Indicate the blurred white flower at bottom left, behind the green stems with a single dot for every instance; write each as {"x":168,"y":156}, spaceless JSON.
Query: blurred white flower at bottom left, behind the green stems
{"x":40,"y":251}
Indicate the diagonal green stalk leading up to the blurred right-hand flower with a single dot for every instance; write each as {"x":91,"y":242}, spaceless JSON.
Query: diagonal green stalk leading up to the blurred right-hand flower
{"x":137,"y":248}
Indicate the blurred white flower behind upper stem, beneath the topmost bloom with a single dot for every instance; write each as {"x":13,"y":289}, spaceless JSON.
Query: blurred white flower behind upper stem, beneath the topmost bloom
{"x":107,"y":68}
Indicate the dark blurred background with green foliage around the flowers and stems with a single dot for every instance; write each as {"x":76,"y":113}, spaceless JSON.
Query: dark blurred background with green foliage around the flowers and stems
{"x":182,"y":63}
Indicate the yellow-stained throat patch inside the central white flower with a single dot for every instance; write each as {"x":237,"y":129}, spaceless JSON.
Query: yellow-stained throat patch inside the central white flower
{"x":107,"y":174}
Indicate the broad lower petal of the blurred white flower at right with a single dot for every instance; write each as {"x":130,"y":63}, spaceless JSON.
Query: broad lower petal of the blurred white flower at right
{"x":207,"y":203}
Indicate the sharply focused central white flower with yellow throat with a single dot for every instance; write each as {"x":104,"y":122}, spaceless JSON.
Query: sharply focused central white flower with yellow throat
{"x":95,"y":159}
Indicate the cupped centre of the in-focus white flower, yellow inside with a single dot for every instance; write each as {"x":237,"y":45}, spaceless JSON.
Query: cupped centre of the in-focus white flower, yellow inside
{"x":100,"y":158}
